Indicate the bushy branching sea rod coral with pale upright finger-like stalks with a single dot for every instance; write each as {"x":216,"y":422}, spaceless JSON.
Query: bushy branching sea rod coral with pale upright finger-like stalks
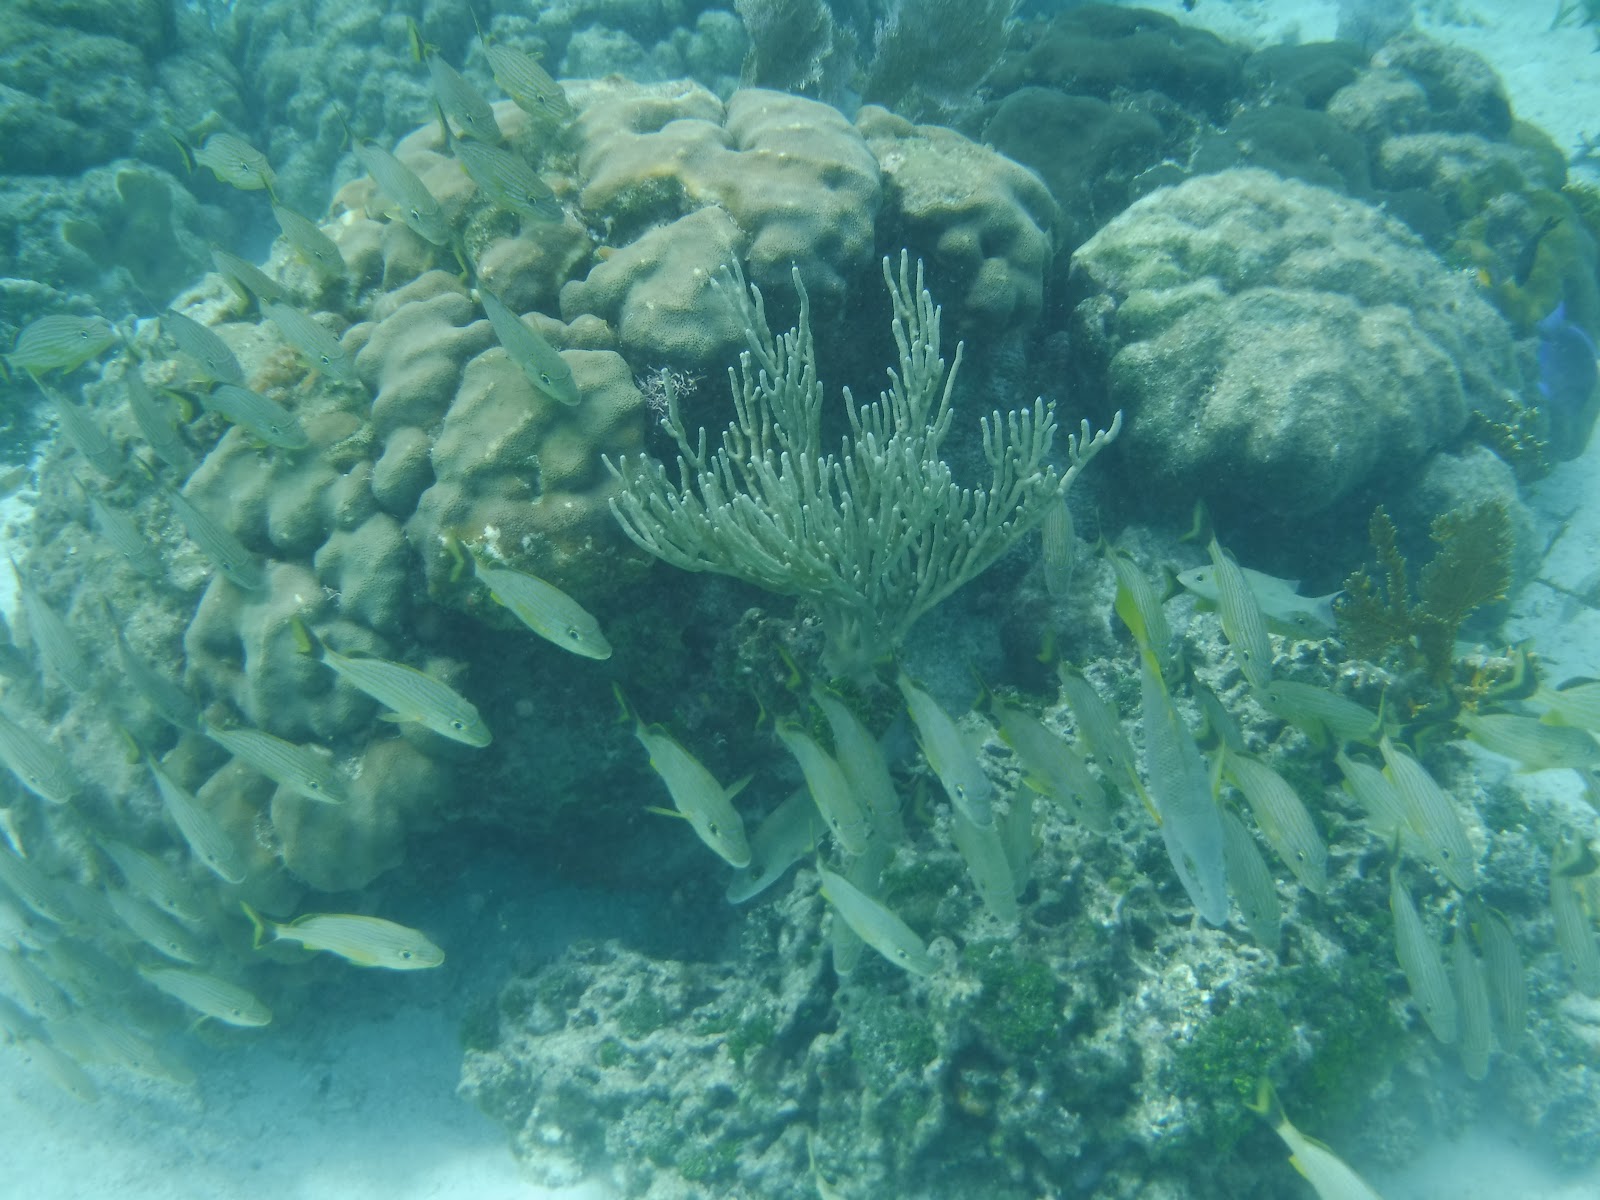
{"x":873,"y":537}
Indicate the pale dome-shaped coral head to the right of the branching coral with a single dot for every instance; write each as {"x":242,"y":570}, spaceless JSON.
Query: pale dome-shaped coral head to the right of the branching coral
{"x":1276,"y":345}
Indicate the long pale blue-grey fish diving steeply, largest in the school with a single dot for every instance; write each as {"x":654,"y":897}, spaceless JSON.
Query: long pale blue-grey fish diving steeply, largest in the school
{"x":1180,"y":786}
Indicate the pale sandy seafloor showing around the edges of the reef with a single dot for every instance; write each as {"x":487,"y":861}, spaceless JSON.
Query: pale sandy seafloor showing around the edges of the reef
{"x":353,"y":1098}
